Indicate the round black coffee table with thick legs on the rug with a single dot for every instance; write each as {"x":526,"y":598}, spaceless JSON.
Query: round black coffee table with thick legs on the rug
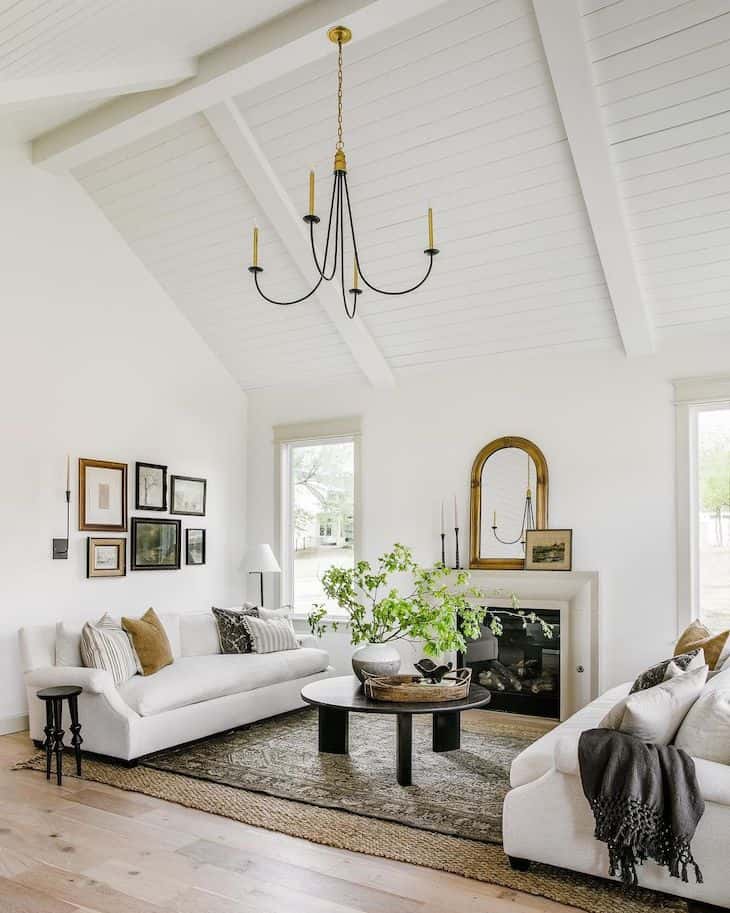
{"x":336,"y":698}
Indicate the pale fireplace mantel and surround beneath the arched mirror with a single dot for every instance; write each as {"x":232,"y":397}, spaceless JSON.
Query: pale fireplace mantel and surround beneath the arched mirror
{"x":575,"y":595}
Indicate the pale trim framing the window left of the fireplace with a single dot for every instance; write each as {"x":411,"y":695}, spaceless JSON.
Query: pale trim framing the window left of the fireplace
{"x":331,"y":431}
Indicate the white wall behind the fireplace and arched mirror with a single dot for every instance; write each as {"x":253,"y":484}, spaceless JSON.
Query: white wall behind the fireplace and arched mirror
{"x":606,"y":426}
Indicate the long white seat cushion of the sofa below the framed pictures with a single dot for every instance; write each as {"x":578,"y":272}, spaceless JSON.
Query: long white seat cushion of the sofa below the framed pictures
{"x":193,"y":679}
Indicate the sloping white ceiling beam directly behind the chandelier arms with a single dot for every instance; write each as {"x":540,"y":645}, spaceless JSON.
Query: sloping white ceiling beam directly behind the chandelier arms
{"x":249,"y":158}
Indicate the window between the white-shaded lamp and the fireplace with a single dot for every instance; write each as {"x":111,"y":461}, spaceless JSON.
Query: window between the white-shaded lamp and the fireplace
{"x":318,"y":510}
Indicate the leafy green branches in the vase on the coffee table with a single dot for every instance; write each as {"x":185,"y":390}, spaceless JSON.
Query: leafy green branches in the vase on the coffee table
{"x":441,"y":608}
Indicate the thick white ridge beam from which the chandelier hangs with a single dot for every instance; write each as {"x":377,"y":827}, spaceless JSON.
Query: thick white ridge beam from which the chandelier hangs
{"x":255,"y":58}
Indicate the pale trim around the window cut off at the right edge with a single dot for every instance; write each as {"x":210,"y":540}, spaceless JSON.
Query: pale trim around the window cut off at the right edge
{"x":691,"y":396}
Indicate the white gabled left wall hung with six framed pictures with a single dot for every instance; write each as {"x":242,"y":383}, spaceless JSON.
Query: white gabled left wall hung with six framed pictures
{"x":96,"y":361}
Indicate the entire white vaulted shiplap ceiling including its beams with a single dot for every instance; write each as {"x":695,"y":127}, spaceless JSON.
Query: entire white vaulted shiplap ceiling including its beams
{"x":576,"y":155}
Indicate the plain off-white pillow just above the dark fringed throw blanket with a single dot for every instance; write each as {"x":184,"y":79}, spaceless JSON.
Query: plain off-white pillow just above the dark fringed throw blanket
{"x":655,"y":715}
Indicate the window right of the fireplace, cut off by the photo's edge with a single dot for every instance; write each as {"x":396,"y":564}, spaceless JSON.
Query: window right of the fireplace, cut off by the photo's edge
{"x":703,"y":501}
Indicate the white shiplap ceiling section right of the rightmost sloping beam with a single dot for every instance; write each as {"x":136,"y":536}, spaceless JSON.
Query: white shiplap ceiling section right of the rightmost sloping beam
{"x":662,"y":76}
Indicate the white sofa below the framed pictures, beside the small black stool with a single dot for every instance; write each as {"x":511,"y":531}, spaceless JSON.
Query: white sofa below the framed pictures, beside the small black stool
{"x":201,"y":693}
